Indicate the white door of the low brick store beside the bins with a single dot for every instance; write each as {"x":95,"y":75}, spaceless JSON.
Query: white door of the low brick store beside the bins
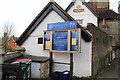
{"x":35,"y":70}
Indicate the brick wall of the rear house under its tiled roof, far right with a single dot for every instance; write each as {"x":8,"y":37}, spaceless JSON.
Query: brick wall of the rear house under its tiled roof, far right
{"x":113,"y":29}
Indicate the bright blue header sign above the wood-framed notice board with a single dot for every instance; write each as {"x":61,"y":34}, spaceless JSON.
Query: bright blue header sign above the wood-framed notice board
{"x":62,"y":25}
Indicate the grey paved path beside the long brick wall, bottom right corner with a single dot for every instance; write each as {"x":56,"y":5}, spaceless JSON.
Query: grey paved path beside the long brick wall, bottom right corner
{"x":111,"y":72}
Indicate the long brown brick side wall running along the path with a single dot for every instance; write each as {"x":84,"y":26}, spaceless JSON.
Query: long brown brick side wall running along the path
{"x":102,"y":48}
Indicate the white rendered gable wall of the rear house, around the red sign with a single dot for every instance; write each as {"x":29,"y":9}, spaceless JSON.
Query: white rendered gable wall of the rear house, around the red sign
{"x":87,"y":16}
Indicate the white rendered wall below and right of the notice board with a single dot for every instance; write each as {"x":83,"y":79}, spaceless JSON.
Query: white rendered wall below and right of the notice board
{"x":81,"y":61}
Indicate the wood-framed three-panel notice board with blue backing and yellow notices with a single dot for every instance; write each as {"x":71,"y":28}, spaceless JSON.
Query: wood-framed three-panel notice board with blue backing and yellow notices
{"x":66,"y":40}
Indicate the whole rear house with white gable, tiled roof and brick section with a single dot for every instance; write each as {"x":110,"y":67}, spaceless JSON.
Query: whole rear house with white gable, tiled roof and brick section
{"x":98,"y":13}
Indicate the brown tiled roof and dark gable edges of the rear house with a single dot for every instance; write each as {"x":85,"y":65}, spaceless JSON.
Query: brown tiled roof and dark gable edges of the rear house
{"x":98,"y":12}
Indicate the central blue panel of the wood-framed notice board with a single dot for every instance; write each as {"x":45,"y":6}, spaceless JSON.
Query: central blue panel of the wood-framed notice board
{"x":60,"y":41}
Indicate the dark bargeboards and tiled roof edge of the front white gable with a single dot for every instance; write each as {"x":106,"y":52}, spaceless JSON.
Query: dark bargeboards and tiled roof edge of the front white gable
{"x":50,"y":6}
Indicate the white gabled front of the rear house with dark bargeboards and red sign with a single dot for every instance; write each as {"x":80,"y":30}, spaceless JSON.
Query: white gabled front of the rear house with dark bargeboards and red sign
{"x":82,"y":13}
